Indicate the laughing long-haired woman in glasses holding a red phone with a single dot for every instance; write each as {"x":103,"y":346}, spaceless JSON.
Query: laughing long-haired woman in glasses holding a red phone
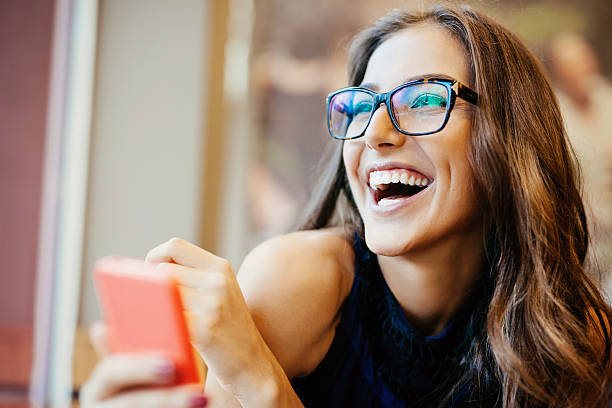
{"x":442,"y":263}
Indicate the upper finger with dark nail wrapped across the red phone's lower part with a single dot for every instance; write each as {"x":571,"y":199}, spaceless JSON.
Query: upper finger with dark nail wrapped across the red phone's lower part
{"x":120,"y":371}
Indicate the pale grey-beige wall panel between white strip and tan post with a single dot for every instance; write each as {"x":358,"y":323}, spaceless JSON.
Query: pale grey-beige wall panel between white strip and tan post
{"x":147,"y":131}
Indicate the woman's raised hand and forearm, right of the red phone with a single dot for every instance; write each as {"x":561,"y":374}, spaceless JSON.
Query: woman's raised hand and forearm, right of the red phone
{"x":220,"y":324}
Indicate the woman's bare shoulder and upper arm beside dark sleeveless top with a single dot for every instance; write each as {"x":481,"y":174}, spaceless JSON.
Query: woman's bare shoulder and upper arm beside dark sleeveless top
{"x":294,"y":286}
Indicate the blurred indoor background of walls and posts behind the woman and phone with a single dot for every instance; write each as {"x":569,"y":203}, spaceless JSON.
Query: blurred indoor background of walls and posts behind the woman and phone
{"x":127,"y":122}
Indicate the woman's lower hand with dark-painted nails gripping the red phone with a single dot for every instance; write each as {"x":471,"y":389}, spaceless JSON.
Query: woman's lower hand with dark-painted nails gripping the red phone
{"x":135,"y":380}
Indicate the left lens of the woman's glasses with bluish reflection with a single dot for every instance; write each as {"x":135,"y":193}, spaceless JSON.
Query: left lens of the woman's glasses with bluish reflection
{"x":349,"y":112}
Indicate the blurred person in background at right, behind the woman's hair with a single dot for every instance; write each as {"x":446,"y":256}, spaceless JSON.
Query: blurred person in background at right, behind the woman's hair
{"x":585,"y":98}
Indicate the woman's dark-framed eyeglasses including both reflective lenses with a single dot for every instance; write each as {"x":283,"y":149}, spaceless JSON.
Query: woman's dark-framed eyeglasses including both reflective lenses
{"x":416,"y":108}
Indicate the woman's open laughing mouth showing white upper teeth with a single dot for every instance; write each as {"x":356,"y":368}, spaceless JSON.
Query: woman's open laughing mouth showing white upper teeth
{"x":392,"y":185}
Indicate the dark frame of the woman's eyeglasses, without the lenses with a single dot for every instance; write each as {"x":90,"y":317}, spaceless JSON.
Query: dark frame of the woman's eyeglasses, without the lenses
{"x":462,"y":92}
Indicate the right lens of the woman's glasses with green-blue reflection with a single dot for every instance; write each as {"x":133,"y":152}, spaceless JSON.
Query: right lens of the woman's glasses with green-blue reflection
{"x":420,"y":108}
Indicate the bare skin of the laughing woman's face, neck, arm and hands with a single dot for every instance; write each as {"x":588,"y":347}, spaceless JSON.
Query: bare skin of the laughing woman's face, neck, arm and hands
{"x":277,"y":319}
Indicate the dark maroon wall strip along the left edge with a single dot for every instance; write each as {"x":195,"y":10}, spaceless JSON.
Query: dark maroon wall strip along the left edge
{"x":25,"y":49}
